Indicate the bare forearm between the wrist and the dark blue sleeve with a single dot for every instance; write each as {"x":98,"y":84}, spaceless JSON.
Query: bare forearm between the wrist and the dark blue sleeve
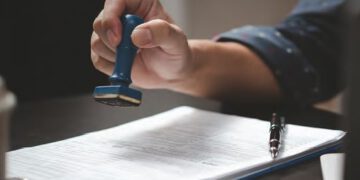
{"x":227,"y":72}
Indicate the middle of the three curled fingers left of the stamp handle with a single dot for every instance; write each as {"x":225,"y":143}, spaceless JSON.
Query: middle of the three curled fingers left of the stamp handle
{"x":99,"y":48}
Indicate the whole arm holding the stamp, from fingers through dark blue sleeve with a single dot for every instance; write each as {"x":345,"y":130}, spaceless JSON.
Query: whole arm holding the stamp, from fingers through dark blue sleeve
{"x":294,"y":61}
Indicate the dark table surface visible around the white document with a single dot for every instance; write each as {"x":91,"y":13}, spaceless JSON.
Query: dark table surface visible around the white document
{"x":39,"y":122}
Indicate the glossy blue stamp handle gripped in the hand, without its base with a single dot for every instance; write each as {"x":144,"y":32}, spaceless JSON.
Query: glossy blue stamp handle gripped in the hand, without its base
{"x":125,"y":52}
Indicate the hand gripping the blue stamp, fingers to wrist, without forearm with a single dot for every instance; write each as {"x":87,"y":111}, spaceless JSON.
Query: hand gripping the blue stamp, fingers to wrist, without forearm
{"x":164,"y":54}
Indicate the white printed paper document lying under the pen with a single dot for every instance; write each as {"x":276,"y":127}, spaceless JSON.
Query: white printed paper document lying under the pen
{"x":182,"y":143}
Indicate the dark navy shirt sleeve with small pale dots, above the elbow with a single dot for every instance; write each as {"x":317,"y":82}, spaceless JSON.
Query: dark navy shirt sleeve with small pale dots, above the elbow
{"x":303,"y":51}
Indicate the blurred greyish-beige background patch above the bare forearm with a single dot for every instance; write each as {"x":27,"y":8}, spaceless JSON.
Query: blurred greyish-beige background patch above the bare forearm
{"x":207,"y":18}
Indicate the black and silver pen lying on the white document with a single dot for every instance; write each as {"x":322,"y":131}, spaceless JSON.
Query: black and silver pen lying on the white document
{"x":277,"y":126}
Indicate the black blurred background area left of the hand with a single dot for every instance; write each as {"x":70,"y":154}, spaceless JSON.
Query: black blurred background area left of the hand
{"x":45,"y":48}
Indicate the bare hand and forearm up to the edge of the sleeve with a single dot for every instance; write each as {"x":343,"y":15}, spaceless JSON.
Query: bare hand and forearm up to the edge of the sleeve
{"x":167,"y":60}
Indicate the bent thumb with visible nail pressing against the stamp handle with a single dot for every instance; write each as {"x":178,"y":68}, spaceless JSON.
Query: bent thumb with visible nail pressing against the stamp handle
{"x":159,"y":33}
